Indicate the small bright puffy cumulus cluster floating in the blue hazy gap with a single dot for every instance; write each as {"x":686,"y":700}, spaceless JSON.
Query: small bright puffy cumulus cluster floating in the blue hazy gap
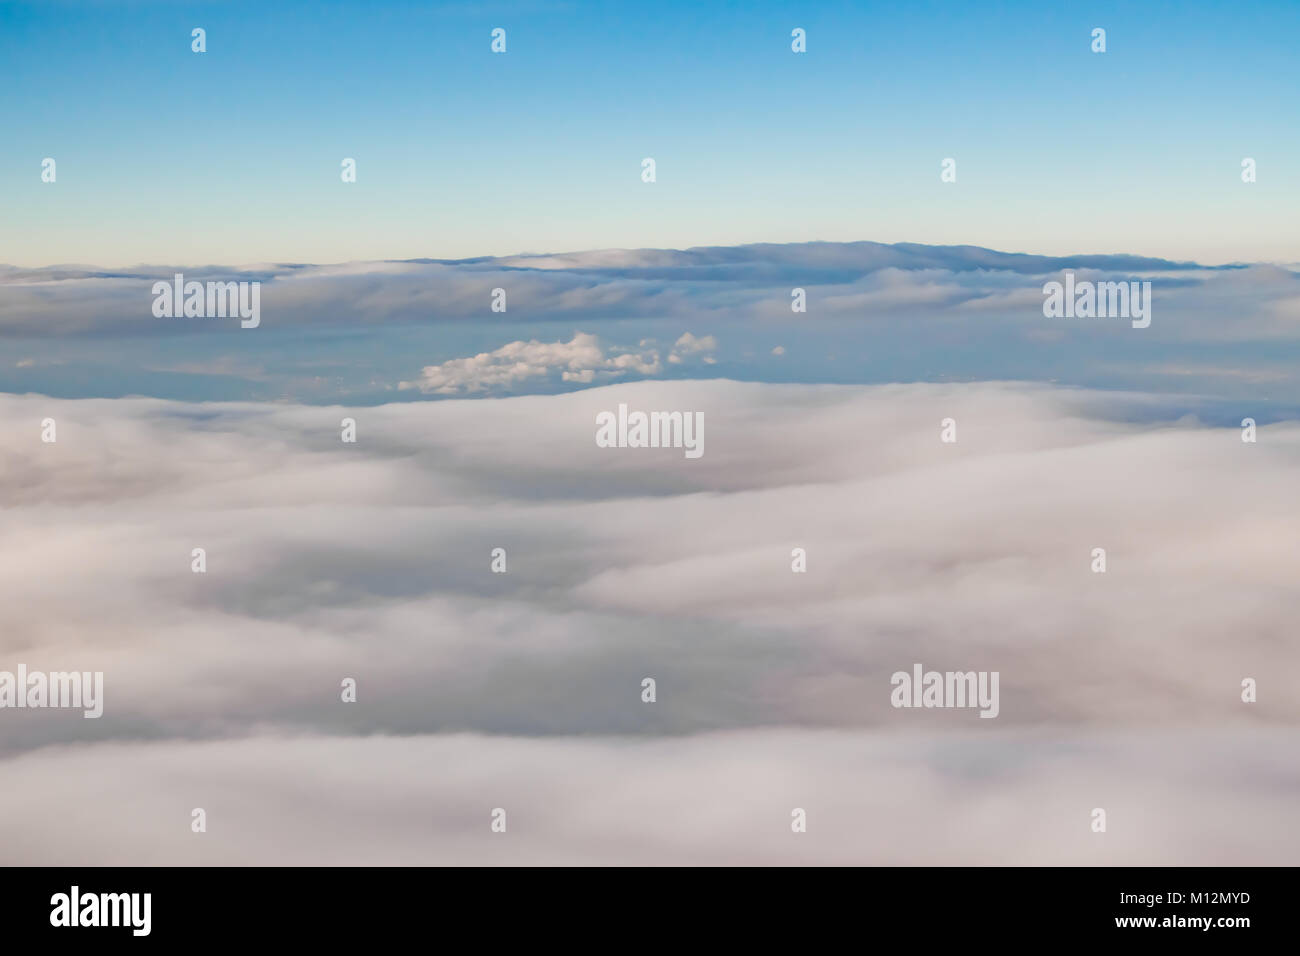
{"x":580,"y":361}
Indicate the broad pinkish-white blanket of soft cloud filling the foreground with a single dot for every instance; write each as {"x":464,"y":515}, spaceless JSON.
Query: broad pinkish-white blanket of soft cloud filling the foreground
{"x":522,"y":690}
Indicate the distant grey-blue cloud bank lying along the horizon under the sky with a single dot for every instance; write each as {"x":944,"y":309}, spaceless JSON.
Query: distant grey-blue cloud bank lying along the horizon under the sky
{"x":860,"y":279}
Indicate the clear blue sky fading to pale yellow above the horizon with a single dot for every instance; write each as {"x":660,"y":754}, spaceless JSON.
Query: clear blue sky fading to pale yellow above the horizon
{"x":233,"y":155}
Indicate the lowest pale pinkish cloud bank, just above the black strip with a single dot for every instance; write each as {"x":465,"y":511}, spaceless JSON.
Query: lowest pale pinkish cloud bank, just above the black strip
{"x":720,"y":799}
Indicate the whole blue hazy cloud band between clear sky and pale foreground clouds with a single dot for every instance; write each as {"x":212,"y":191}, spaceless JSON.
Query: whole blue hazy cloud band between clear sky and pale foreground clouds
{"x":876,"y":313}
